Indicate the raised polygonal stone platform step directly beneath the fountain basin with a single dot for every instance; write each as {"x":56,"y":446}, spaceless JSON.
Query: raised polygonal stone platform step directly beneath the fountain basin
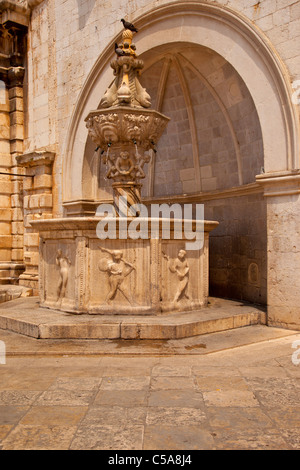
{"x":24,"y":316}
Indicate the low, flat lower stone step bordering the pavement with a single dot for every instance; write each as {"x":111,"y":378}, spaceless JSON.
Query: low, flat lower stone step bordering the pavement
{"x":22,"y":346}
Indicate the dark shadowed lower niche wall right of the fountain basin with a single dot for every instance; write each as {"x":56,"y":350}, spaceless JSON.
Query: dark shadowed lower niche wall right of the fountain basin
{"x":238,"y":248}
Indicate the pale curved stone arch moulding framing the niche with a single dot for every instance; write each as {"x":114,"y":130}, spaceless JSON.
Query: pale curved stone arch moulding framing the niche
{"x":229,"y":34}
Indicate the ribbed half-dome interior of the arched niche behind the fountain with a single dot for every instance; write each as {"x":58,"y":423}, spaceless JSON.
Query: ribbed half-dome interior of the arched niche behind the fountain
{"x":213,"y":141}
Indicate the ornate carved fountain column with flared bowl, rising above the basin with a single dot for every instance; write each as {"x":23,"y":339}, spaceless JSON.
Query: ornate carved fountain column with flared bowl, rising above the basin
{"x":125,"y":129}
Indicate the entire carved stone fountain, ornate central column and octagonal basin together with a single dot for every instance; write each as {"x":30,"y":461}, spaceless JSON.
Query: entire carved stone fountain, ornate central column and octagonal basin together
{"x":84,"y":273}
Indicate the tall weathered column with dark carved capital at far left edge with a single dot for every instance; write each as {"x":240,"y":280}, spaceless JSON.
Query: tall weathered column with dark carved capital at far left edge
{"x":14,"y":20}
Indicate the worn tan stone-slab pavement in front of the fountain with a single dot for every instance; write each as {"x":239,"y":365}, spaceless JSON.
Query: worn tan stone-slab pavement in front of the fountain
{"x":237,"y":397}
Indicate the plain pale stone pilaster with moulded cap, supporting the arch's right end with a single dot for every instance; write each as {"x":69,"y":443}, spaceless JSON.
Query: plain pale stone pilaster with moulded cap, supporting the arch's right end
{"x":282,"y":191}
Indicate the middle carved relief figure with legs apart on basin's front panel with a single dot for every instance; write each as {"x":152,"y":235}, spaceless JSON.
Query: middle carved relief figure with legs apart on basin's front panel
{"x":117,"y":269}
